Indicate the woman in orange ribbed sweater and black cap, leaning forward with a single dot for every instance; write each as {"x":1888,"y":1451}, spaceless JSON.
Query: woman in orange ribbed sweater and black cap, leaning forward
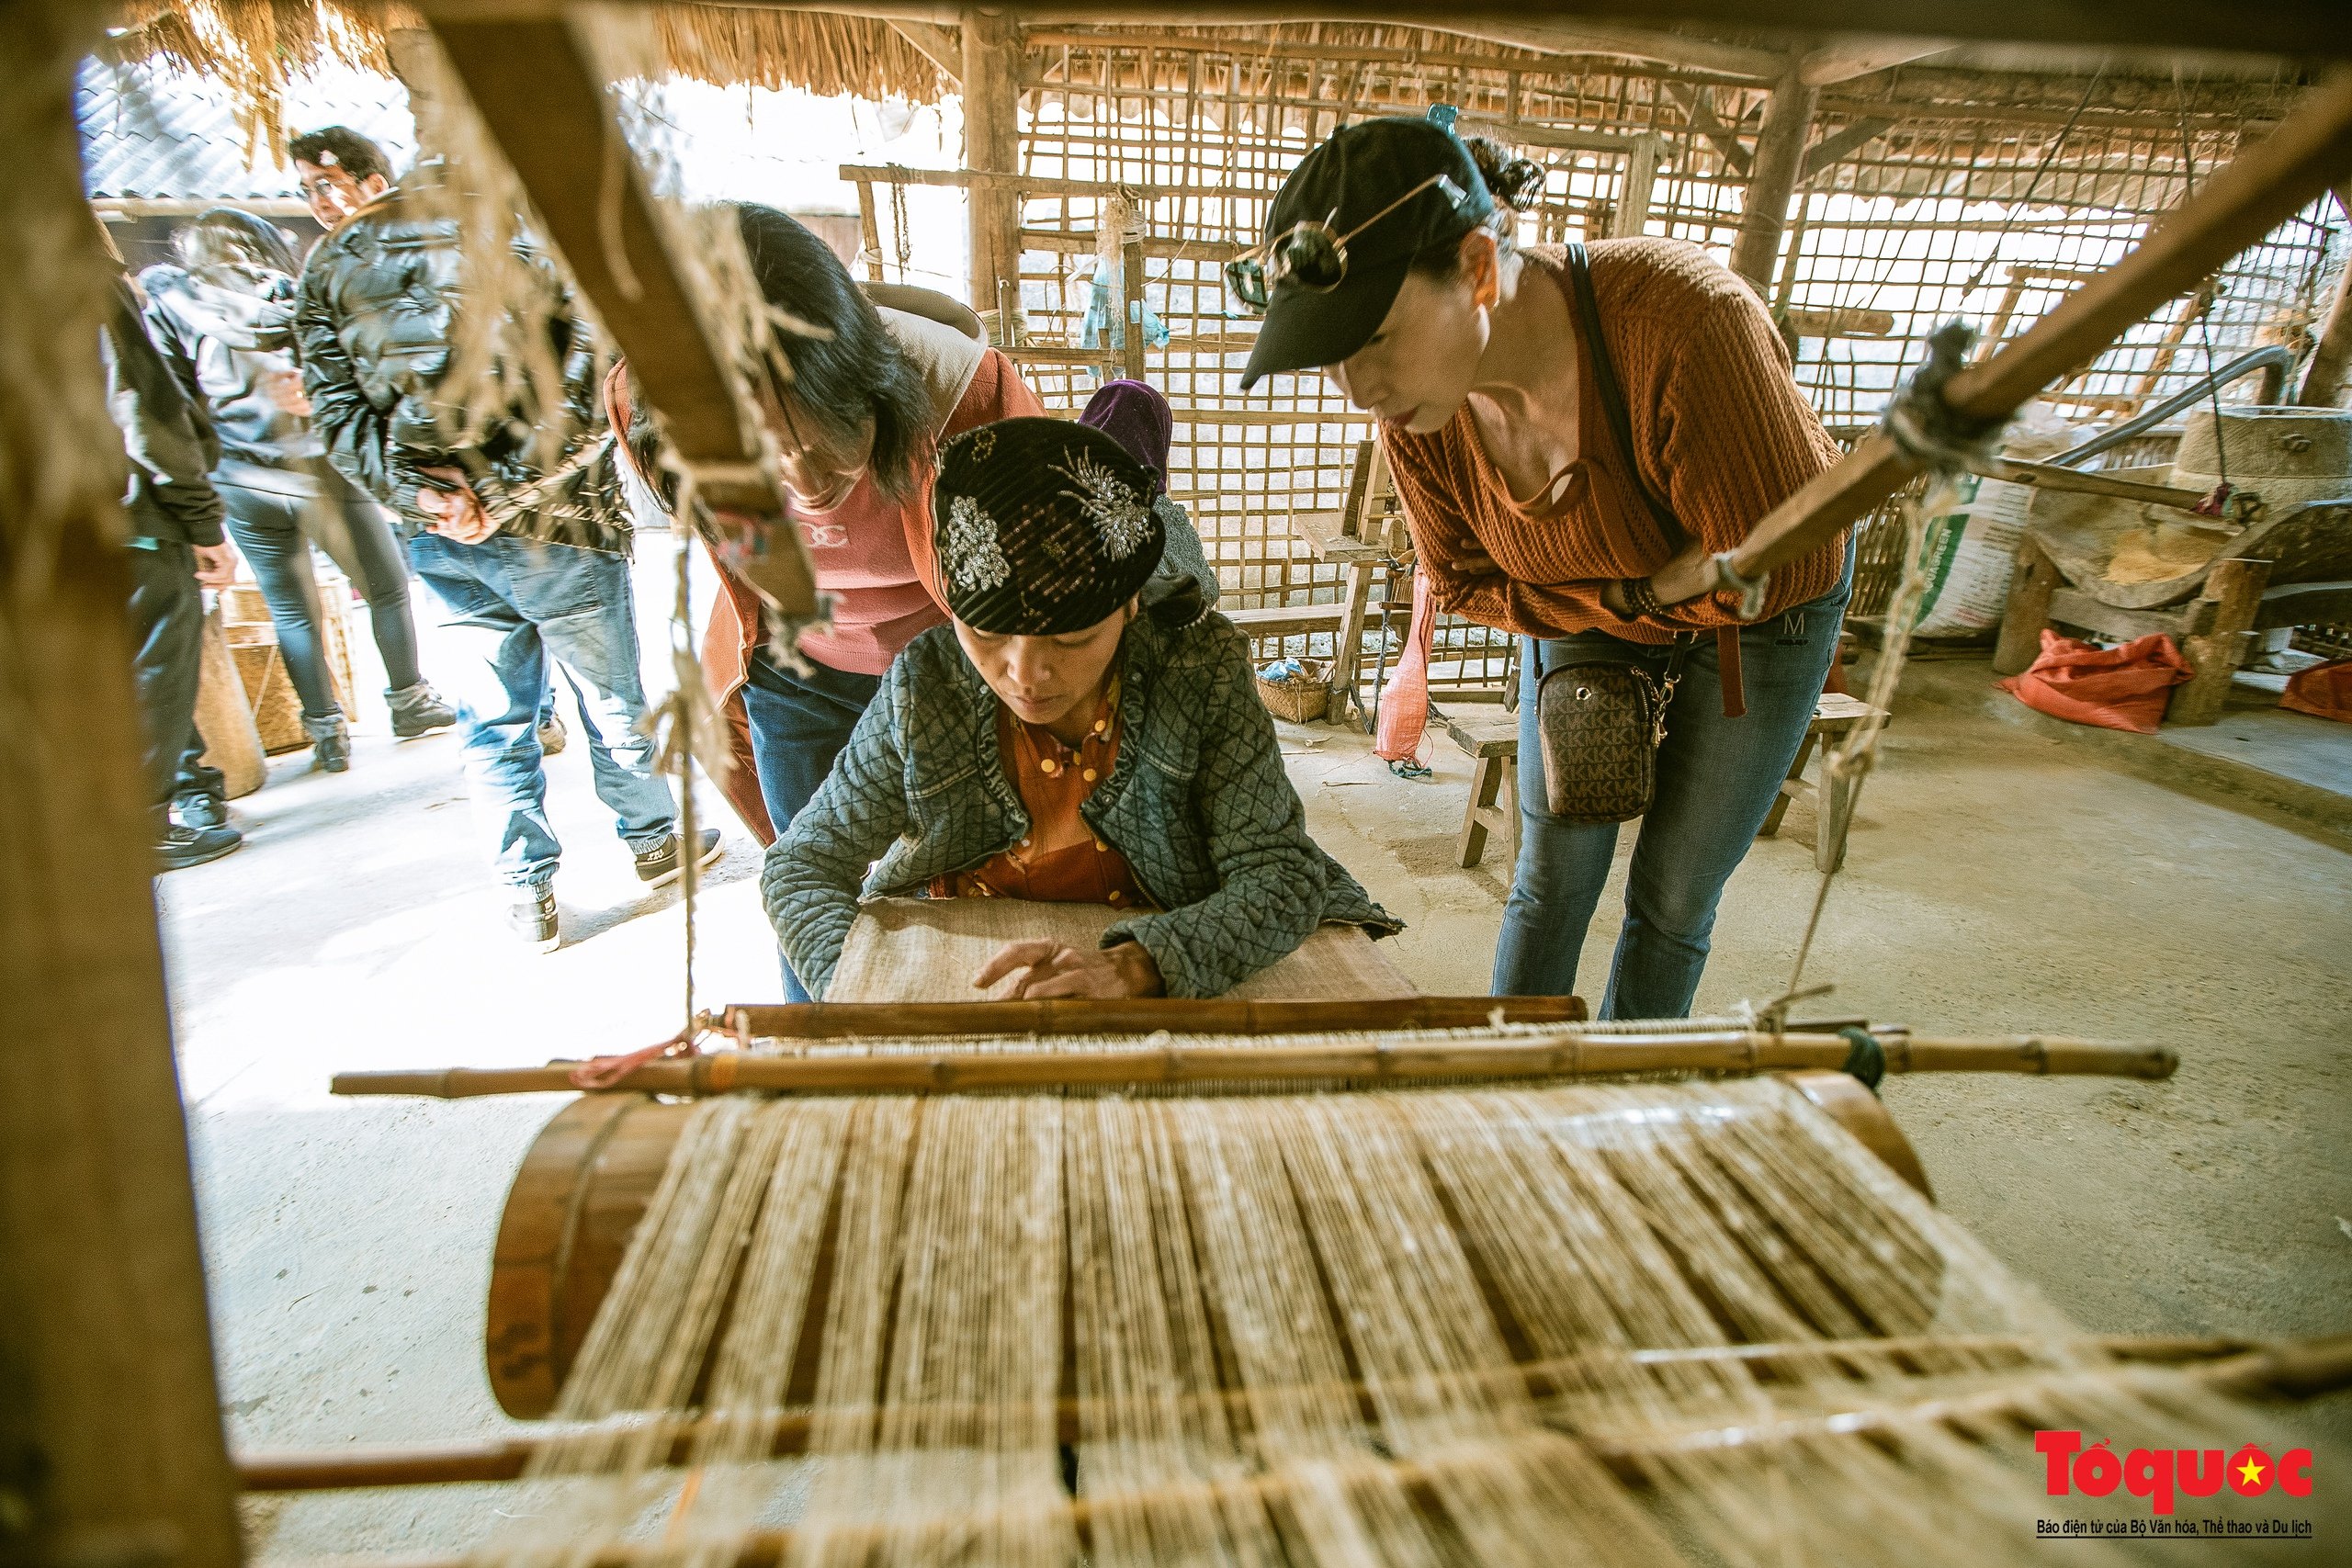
{"x":1535,"y":509}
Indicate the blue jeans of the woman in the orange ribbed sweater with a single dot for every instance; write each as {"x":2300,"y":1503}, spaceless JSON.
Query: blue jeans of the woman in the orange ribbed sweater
{"x":1716,"y":782}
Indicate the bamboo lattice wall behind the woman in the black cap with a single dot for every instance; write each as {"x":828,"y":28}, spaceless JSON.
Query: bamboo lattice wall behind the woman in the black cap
{"x":1932,"y":194}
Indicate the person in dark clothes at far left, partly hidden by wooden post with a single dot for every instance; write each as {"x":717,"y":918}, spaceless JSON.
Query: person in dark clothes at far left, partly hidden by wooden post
{"x":175,"y":523}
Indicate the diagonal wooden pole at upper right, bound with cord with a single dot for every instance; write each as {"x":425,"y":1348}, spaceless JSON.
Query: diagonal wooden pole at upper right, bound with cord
{"x":2231,"y":210}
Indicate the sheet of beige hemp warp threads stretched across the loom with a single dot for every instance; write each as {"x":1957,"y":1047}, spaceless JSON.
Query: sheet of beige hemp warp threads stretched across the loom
{"x":1382,"y":1327}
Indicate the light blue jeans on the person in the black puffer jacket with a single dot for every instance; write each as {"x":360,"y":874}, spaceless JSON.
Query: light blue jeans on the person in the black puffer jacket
{"x":521,"y":605}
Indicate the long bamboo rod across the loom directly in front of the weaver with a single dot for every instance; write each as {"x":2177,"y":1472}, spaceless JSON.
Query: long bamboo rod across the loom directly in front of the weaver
{"x":1544,"y":1057}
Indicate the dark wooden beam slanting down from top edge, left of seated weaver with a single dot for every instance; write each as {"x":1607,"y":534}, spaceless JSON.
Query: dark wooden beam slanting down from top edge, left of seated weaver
{"x":535,"y":83}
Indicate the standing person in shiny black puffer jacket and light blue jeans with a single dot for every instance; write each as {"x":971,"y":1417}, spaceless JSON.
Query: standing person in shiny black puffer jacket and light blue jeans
{"x":519,"y":530}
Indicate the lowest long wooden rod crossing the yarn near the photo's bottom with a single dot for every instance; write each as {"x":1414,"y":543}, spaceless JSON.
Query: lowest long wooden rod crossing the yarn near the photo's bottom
{"x":2285,"y":1372}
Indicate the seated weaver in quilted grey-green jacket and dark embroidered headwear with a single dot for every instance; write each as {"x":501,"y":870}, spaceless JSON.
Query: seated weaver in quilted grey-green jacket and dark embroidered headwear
{"x":1060,"y":742}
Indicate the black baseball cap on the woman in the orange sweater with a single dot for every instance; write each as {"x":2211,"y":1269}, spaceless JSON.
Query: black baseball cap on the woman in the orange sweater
{"x":1344,"y":185}
